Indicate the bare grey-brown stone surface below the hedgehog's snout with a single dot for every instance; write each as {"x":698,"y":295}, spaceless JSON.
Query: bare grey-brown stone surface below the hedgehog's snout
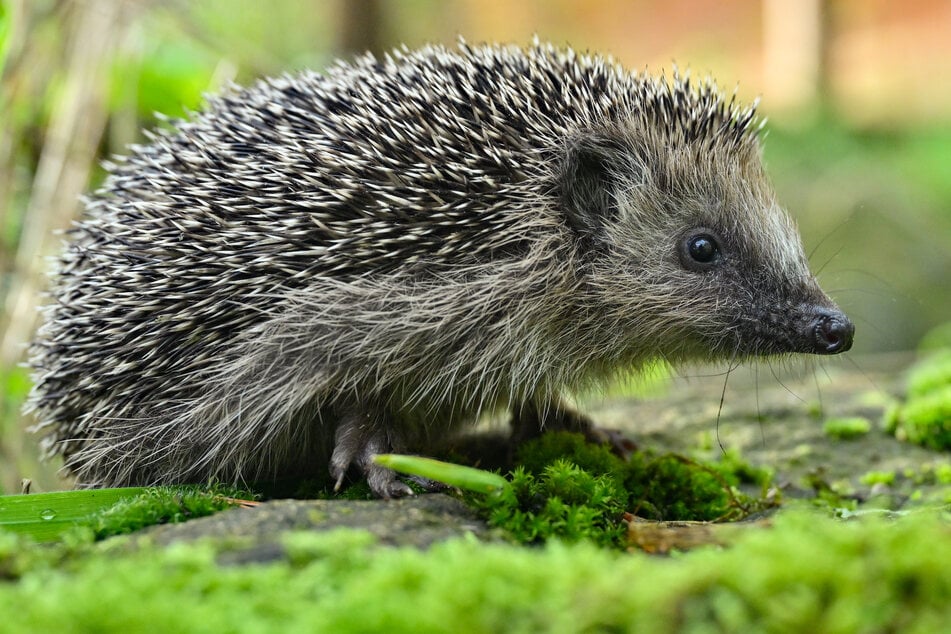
{"x":773,"y":415}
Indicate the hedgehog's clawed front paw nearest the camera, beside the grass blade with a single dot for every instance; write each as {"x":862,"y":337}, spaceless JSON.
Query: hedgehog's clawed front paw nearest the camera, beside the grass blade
{"x":356,"y":441}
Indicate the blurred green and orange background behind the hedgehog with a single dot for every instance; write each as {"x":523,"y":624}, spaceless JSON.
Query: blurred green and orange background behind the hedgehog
{"x":857,"y":92}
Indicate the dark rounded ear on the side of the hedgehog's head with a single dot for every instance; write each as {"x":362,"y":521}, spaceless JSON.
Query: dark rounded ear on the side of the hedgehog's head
{"x":589,"y":186}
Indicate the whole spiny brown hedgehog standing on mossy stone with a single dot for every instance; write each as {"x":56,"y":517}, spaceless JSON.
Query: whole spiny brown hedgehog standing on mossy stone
{"x":326,"y":266}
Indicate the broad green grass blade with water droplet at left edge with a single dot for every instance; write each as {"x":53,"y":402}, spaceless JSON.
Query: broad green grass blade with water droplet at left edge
{"x":44,"y":516}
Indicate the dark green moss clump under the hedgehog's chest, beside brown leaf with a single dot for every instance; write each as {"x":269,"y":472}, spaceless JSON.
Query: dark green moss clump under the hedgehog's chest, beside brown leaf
{"x":568,"y":488}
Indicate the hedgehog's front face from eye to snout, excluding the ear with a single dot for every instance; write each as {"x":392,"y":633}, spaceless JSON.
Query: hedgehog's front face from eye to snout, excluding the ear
{"x":755,"y":295}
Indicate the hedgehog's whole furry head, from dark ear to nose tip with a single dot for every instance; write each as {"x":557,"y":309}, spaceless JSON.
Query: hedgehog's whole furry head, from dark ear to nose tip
{"x":688,"y":249}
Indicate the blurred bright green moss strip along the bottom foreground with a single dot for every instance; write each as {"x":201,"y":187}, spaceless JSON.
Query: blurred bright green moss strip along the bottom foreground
{"x":872,"y":576}
